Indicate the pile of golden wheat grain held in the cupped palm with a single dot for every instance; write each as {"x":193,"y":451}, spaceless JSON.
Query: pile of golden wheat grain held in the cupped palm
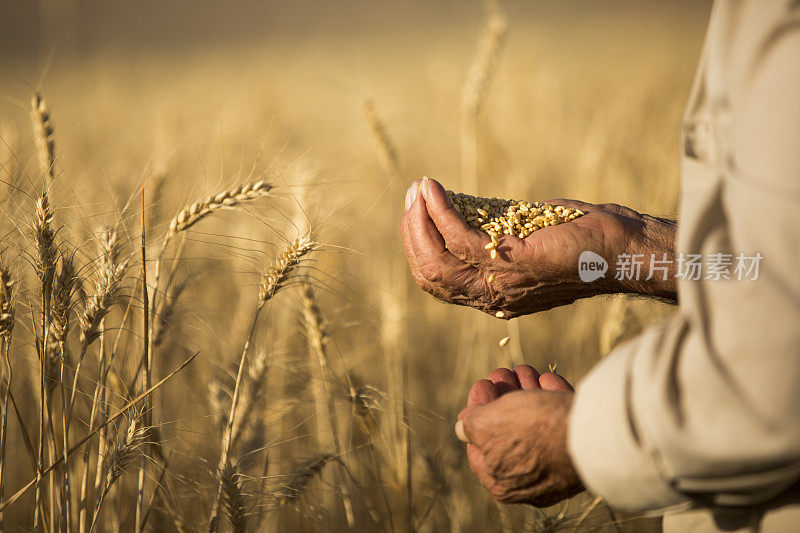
{"x":497,"y":217}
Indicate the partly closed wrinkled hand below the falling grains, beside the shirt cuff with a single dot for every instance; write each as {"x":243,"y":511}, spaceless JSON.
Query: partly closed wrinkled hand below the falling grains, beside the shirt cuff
{"x":516,"y":426}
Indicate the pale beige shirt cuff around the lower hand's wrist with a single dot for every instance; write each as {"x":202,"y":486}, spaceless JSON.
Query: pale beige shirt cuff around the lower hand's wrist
{"x":603,"y":443}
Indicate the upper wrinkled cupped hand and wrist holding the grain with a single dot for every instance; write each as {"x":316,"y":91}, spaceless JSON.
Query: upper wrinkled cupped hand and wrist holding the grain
{"x":448,"y":259}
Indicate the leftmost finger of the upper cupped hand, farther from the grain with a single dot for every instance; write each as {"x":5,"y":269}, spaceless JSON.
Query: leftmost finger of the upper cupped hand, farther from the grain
{"x":433,"y":259}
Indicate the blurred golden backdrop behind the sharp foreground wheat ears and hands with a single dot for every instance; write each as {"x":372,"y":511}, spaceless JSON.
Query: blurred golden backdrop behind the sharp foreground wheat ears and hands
{"x":340,"y":105}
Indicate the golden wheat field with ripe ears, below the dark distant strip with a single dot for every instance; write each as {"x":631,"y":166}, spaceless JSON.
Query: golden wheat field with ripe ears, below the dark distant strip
{"x":282,"y":372}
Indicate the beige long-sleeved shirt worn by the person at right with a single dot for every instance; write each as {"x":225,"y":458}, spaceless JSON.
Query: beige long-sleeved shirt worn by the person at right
{"x":702,"y":411}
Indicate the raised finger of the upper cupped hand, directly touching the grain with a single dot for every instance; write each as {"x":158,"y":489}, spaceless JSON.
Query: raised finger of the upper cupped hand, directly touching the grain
{"x":464,"y":241}
